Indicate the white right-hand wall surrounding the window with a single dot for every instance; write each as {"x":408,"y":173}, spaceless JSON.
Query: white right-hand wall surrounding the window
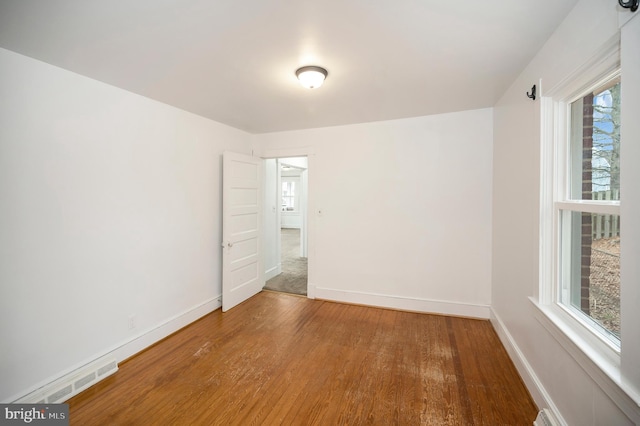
{"x":553,"y":374}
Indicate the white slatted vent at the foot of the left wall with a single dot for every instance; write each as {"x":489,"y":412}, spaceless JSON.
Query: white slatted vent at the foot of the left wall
{"x":73,"y":383}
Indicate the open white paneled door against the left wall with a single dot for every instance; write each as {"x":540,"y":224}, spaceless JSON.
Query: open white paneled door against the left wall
{"x":242,"y":275}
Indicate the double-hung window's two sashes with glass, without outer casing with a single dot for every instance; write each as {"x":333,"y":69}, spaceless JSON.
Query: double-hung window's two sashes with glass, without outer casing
{"x":588,"y":209}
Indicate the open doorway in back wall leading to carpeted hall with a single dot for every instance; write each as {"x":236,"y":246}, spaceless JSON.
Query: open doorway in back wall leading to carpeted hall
{"x":286,"y":267}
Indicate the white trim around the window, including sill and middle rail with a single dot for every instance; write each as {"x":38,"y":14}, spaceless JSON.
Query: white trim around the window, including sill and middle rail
{"x":594,"y":353}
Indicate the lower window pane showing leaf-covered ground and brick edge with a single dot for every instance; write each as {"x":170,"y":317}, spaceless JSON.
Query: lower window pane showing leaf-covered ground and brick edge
{"x":590,"y":268}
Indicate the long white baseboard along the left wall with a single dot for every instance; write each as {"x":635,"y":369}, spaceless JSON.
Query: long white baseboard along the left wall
{"x":65,"y":384}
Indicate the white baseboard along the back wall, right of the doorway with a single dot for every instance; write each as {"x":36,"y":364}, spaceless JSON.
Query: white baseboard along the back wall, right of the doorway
{"x":403,"y":303}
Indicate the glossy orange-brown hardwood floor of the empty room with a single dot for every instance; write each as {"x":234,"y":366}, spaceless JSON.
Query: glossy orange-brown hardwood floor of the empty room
{"x":283,"y":359}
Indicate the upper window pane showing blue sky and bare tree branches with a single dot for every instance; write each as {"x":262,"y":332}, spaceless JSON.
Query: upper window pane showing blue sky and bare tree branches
{"x":595,"y":145}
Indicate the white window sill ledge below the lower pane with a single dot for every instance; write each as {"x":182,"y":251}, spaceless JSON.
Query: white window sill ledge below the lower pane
{"x":603,"y":366}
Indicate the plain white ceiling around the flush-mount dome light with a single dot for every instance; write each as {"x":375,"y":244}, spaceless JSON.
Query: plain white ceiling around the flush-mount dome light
{"x":234,"y":61}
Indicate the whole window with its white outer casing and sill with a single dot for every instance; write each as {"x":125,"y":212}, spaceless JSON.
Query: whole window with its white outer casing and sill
{"x":589,"y":229}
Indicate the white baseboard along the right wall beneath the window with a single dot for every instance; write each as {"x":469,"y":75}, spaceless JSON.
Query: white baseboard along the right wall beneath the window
{"x":539,"y":394}
